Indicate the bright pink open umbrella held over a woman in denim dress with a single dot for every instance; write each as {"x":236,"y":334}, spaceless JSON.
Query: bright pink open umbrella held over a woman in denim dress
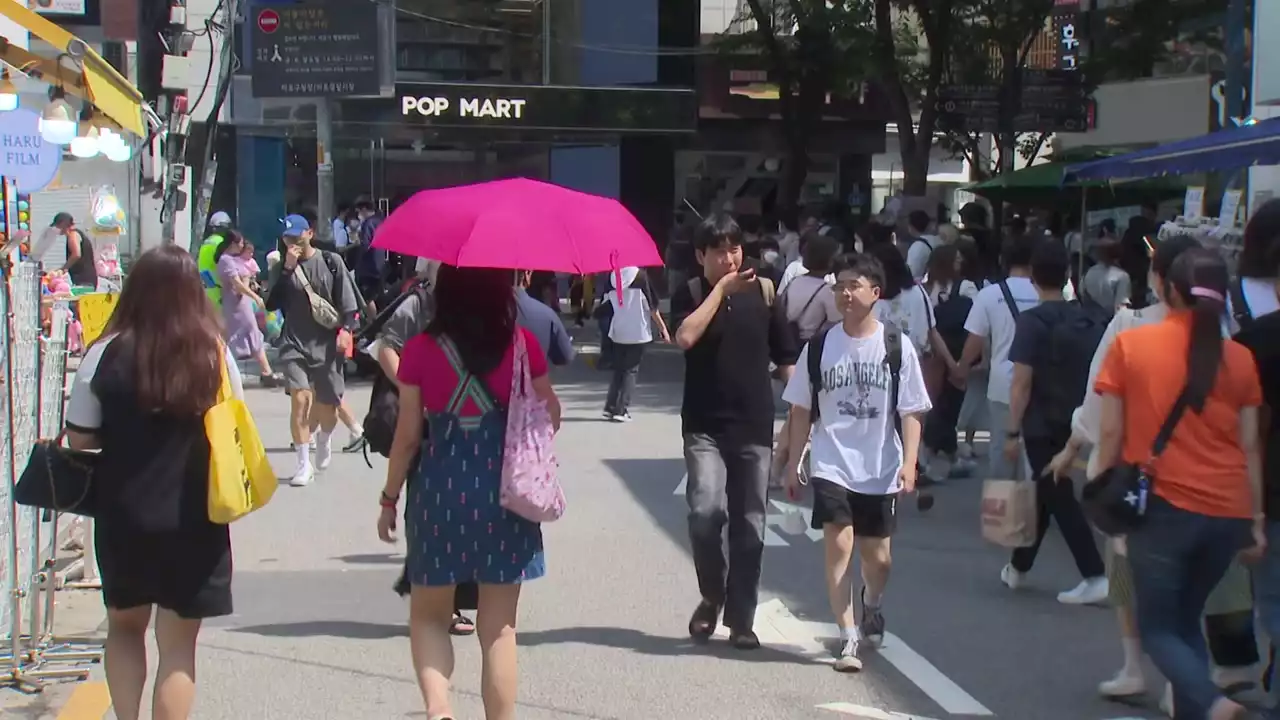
{"x":520,"y":225}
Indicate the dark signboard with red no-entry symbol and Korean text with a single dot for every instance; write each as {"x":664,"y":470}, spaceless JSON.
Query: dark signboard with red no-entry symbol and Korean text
{"x":316,"y":49}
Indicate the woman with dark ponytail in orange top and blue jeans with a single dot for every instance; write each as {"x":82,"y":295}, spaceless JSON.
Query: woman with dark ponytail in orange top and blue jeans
{"x":1208,"y":485}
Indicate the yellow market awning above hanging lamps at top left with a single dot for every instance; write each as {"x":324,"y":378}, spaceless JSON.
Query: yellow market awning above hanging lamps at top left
{"x":100,"y":85}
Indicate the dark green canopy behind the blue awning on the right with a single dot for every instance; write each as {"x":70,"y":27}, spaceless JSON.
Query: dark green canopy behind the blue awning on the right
{"x":1049,"y":186}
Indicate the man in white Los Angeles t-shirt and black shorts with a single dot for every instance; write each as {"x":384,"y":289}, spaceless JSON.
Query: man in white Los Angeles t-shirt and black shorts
{"x":861,"y":462}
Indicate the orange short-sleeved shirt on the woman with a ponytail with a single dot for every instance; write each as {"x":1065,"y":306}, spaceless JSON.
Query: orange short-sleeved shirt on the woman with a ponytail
{"x":1203,"y":468}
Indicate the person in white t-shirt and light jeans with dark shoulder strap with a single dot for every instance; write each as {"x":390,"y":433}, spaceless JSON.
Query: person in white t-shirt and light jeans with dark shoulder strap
{"x":994,"y":318}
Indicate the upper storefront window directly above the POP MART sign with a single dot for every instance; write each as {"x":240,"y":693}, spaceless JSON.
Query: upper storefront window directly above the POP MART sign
{"x":495,"y":42}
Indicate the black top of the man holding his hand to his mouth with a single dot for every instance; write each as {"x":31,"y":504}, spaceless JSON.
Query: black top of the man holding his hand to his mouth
{"x":728,"y":389}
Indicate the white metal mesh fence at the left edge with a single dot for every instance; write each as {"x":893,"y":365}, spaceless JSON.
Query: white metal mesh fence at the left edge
{"x":34,"y":371}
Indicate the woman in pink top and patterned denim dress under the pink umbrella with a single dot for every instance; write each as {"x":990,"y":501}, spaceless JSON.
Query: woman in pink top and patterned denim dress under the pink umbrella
{"x":459,"y":375}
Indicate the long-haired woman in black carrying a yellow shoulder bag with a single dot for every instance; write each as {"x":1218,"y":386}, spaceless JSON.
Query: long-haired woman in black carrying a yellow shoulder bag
{"x":140,"y":397}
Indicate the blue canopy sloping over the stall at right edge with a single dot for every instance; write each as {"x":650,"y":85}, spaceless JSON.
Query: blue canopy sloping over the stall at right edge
{"x":1256,"y":144}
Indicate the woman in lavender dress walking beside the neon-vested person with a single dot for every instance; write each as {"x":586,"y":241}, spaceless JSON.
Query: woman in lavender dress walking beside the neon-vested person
{"x":240,"y":302}
